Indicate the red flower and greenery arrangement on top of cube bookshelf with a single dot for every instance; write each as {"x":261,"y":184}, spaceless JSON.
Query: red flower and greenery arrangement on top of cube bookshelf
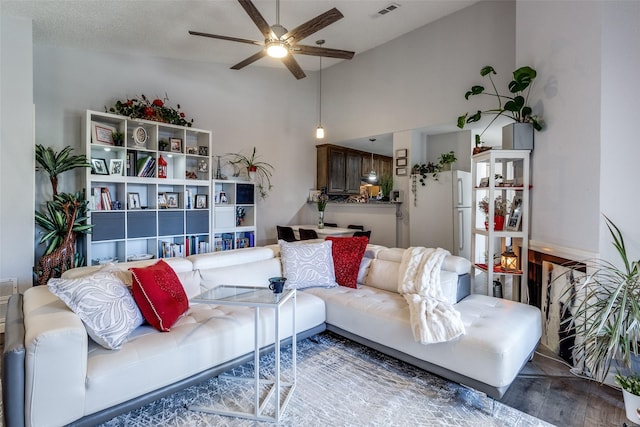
{"x":157,"y":110}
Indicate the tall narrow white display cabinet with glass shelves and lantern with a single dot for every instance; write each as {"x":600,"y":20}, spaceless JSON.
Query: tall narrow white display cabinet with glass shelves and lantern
{"x":487,"y":244}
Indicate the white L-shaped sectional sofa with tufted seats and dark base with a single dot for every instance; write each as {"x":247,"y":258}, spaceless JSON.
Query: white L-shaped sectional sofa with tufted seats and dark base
{"x":54,"y":374}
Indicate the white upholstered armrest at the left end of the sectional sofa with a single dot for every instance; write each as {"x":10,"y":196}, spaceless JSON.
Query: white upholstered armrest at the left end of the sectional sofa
{"x":56,"y":344}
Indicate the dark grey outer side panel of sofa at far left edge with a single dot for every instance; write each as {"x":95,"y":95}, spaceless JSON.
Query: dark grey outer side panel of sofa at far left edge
{"x":13,"y":363}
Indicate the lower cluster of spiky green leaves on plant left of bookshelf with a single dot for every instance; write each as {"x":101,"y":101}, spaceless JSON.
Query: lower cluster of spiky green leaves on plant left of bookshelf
{"x":53,"y":221}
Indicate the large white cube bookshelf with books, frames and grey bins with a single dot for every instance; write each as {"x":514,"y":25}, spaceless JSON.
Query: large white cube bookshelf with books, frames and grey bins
{"x":139,"y":207}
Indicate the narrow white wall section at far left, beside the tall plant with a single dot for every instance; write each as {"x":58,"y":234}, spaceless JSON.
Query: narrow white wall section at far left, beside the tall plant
{"x":17,"y":157}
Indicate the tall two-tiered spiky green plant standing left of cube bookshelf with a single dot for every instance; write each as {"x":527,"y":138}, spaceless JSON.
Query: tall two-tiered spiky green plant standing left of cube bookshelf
{"x":64,"y":218}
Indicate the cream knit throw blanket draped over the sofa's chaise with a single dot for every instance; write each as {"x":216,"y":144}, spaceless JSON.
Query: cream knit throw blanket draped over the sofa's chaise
{"x":432,"y":318}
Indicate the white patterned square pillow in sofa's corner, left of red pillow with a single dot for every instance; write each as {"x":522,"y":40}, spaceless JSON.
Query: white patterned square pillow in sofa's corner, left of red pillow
{"x":307,"y":265}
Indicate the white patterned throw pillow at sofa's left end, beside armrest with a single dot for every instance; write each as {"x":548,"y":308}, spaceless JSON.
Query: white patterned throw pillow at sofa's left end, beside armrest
{"x":103,"y":303}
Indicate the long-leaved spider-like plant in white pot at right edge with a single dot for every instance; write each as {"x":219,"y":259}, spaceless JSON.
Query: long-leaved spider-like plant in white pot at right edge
{"x":606,"y":319}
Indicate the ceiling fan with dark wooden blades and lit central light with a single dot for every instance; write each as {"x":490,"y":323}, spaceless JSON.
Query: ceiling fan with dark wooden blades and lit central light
{"x":282,"y":43}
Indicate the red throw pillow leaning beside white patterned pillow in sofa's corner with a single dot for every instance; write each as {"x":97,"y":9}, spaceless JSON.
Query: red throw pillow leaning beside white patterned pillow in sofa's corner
{"x":347,"y":255}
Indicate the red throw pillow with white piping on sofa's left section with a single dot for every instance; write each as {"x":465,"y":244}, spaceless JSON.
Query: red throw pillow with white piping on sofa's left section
{"x":159,"y":295}
